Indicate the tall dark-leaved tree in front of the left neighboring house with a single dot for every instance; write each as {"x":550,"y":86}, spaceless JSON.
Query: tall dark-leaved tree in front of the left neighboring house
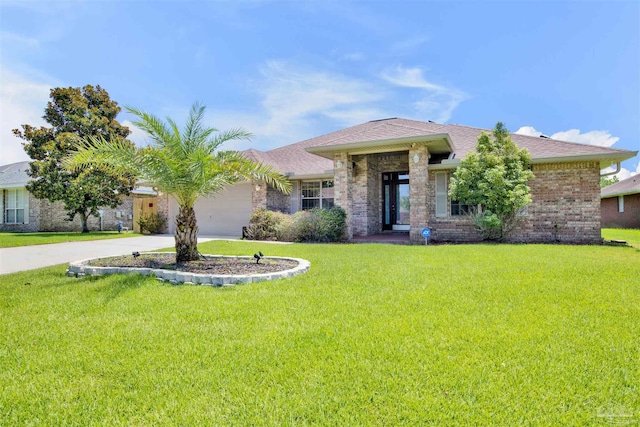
{"x":74,"y":114}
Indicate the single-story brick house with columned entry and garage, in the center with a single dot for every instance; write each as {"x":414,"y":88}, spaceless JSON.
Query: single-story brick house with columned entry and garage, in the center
{"x":392,"y":175}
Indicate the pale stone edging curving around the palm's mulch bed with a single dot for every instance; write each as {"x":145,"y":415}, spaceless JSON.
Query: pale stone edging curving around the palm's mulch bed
{"x":81,"y":268}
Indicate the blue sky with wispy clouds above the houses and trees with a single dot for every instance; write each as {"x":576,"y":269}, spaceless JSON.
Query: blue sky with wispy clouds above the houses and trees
{"x":288,"y":71}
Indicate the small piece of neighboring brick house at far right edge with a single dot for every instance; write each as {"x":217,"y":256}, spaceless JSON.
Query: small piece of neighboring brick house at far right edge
{"x":620,"y":204}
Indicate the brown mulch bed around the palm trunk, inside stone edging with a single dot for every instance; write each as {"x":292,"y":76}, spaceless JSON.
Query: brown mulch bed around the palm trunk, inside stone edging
{"x":210,"y":265}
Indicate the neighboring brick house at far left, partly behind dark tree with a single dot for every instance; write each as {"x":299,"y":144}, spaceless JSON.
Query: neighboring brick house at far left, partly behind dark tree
{"x":21,"y":211}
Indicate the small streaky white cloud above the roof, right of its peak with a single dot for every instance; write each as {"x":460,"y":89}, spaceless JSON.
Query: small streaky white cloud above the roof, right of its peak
{"x":438,"y":101}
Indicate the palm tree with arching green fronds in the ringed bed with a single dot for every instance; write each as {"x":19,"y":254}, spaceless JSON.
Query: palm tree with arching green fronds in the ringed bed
{"x":184,"y":164}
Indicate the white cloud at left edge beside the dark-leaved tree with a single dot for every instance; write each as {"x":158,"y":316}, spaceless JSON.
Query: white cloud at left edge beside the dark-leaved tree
{"x":22,"y":101}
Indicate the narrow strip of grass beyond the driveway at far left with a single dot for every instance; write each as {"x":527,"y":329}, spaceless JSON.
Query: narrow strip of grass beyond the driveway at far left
{"x":11,"y":240}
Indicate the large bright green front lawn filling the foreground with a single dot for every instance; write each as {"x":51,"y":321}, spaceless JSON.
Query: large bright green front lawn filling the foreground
{"x":371,"y":335}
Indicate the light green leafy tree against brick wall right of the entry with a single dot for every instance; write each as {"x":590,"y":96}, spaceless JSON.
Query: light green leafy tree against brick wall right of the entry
{"x":494,"y":178}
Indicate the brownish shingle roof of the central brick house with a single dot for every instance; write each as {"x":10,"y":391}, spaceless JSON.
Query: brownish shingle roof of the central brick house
{"x":293,"y":158}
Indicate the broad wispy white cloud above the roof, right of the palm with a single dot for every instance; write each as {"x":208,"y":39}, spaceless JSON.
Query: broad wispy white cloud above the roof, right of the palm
{"x":294,"y":102}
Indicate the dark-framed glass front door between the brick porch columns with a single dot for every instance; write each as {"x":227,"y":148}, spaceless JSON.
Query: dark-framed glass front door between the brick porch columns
{"x":395,"y":201}
